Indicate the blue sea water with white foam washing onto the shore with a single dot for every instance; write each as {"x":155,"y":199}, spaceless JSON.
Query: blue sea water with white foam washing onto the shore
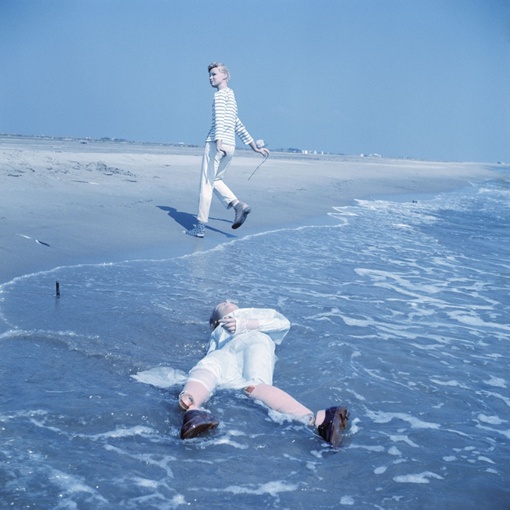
{"x":400,"y":310}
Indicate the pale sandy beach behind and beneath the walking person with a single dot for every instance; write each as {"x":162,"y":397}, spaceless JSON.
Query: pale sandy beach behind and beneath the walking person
{"x":67,"y":202}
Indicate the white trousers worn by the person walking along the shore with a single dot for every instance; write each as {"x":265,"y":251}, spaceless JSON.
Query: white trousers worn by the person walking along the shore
{"x":214,"y":166}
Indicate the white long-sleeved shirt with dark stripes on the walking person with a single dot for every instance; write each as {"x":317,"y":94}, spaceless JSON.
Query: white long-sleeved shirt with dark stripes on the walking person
{"x":225,"y":122}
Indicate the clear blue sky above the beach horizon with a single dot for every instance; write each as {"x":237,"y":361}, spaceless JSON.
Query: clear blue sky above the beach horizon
{"x":427,"y":79}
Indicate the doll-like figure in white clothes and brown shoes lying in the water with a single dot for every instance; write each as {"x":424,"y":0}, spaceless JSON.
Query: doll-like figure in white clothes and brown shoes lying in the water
{"x":241,"y":355}
